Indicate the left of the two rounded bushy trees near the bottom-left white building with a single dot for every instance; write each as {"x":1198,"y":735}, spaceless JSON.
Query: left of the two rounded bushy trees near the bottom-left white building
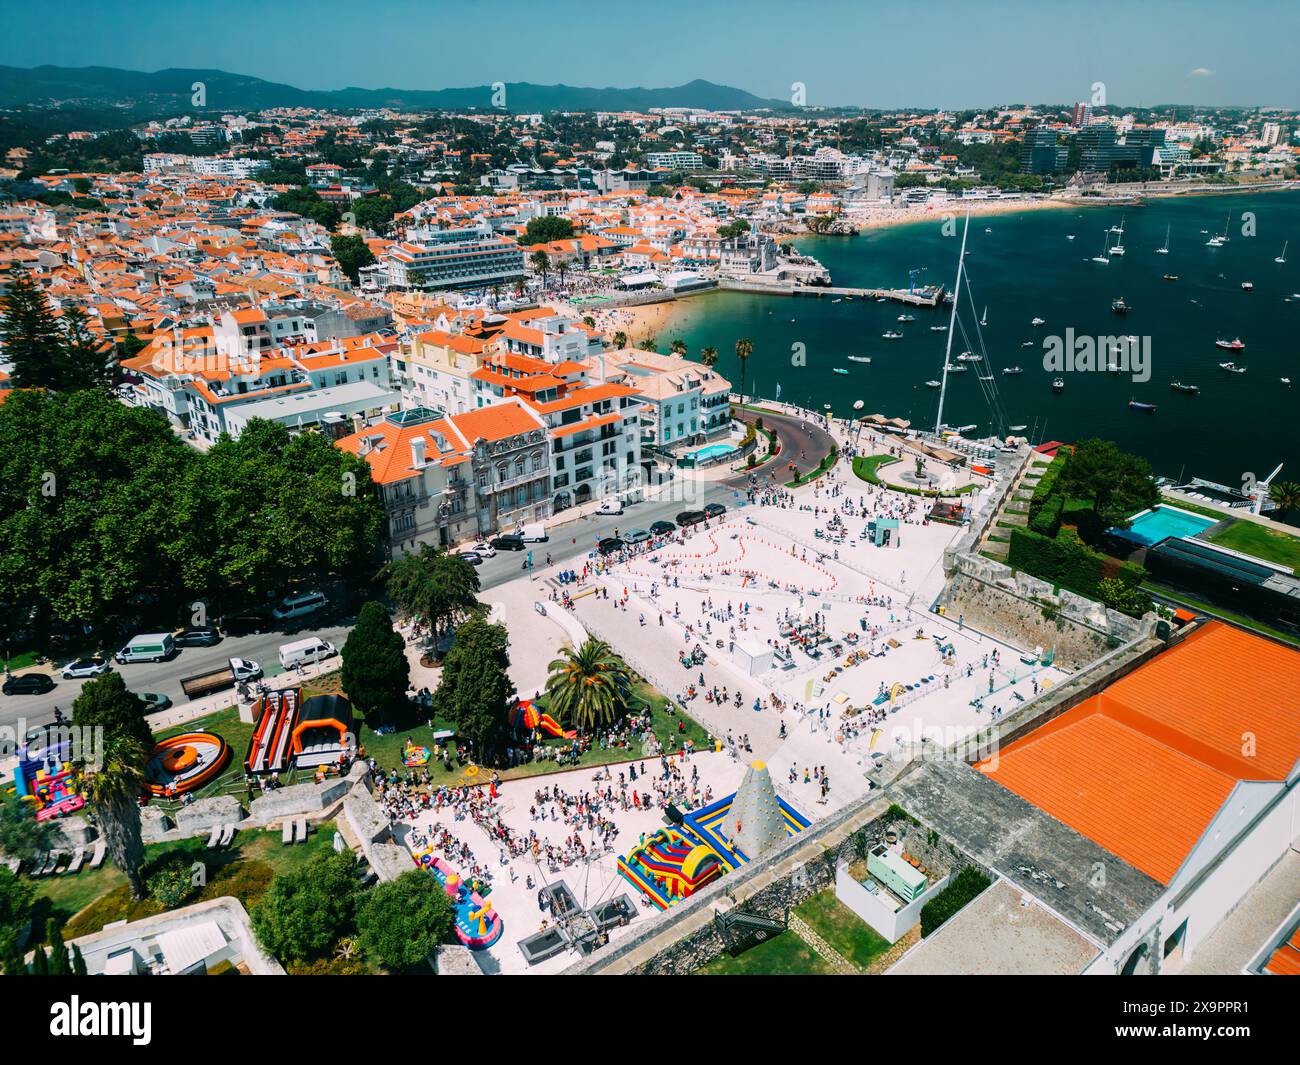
{"x":306,"y":911}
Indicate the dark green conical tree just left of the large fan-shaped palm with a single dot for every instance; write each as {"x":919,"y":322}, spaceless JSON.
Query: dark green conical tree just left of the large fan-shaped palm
{"x":475,"y":689}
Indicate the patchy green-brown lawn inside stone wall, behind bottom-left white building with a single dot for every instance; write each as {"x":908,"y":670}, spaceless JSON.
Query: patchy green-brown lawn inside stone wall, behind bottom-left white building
{"x":90,"y":901}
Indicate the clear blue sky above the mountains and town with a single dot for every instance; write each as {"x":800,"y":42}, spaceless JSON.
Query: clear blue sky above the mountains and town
{"x":943,"y":54}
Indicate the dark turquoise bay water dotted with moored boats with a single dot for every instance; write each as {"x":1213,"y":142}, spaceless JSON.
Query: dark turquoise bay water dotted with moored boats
{"x":1028,"y":269}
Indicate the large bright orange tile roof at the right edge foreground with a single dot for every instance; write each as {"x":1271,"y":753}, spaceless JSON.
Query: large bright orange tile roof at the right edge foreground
{"x":1145,"y":767}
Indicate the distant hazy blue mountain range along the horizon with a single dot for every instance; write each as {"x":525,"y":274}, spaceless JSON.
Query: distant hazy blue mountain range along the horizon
{"x":170,"y":93}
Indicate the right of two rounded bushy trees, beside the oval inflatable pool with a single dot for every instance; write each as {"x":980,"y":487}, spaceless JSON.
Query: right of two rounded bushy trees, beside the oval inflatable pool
{"x":401,"y":923}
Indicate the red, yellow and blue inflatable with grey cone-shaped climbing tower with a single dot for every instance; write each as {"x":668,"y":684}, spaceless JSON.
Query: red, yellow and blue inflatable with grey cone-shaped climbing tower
{"x":674,"y":864}
